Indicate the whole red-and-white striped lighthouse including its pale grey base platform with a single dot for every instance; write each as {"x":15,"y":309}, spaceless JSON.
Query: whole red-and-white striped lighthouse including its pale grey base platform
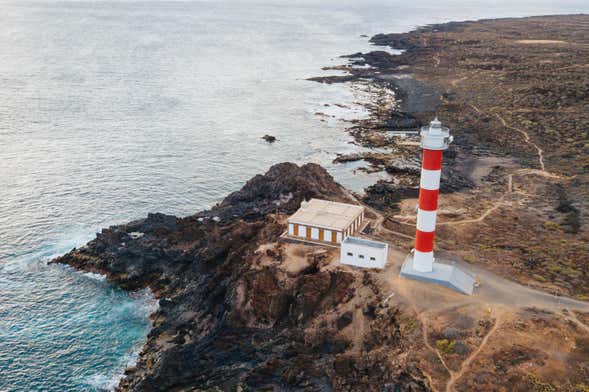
{"x":420,"y":263}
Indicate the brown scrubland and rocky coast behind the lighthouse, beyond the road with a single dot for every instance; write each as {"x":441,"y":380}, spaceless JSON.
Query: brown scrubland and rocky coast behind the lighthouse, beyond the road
{"x":514,"y":93}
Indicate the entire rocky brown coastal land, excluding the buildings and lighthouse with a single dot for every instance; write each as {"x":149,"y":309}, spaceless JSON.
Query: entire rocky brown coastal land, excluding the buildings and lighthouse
{"x":241,"y":310}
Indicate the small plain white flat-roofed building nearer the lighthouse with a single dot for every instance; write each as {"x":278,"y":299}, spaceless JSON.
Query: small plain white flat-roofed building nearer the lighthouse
{"x":364,"y":253}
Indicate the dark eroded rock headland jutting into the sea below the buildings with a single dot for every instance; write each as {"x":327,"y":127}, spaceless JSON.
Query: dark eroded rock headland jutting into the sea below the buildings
{"x":225,"y":322}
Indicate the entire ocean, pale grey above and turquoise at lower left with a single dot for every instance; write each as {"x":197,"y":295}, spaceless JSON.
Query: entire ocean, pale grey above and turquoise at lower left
{"x":110,"y":110}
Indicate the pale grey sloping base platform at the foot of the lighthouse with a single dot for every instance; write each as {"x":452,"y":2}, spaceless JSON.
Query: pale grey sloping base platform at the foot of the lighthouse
{"x":443,"y":274}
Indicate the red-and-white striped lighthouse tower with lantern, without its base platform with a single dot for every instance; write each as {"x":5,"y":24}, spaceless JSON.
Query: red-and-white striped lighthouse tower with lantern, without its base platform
{"x":434,"y":140}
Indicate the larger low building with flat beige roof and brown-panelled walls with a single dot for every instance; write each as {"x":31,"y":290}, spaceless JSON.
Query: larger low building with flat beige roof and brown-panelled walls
{"x":325,"y":221}
